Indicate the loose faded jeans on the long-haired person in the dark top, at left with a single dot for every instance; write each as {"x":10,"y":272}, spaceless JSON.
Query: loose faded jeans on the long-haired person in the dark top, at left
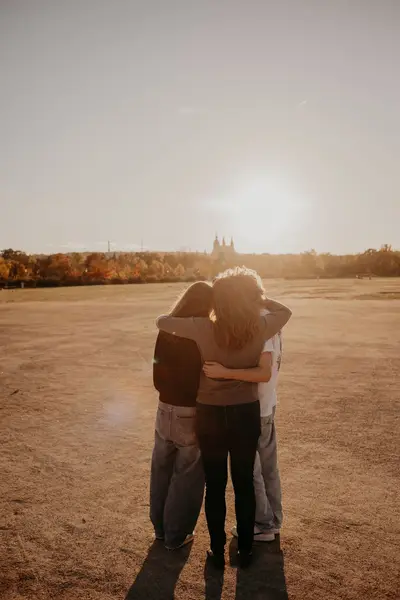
{"x":177,"y":477}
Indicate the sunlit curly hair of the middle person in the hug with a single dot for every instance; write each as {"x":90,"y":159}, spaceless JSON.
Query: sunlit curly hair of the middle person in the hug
{"x":238,"y":296}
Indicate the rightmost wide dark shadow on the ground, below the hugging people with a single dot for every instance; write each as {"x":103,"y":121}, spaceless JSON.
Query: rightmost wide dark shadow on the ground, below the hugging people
{"x":265,"y":578}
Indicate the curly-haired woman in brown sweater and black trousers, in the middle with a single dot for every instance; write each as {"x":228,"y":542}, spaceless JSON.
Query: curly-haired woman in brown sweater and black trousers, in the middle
{"x":228,"y":411}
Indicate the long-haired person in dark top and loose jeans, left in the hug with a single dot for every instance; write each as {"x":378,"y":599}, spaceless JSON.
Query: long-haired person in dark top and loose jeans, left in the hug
{"x":177,"y":476}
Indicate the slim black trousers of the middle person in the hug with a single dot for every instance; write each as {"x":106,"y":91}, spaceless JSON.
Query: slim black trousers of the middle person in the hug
{"x":234,"y":431}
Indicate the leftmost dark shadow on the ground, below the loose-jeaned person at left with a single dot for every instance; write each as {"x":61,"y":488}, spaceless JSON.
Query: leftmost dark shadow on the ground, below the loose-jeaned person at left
{"x":159,"y":574}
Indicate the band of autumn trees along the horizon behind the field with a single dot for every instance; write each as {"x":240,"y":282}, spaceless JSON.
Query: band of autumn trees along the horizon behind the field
{"x":98,"y":268}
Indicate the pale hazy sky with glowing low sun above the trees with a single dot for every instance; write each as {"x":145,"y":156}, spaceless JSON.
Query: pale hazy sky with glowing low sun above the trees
{"x":277,"y":122}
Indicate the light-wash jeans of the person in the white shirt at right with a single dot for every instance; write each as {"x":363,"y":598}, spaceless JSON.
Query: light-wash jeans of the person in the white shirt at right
{"x":267,"y":483}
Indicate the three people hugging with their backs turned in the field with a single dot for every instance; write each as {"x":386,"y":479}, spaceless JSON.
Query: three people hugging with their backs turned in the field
{"x":216,"y":364}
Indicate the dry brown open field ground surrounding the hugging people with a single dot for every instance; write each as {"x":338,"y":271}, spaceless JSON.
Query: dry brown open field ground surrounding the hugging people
{"x":77,"y":415}
